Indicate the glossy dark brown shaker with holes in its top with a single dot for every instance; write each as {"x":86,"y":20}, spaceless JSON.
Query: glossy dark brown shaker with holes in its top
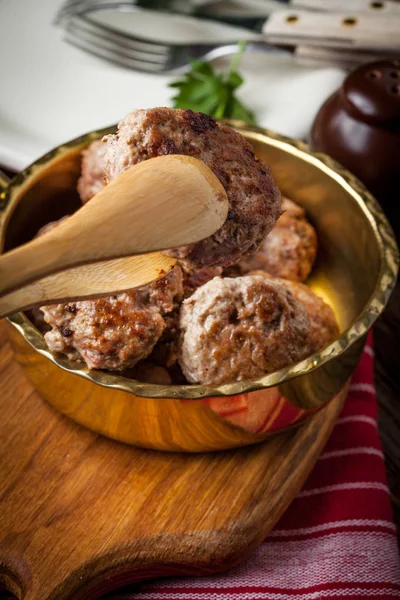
{"x":359,"y":126}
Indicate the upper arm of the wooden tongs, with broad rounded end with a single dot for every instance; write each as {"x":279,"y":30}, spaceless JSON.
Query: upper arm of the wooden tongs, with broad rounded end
{"x":161,"y":203}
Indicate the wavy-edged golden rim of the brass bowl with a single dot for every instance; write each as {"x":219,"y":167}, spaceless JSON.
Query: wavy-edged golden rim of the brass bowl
{"x":385,"y":282}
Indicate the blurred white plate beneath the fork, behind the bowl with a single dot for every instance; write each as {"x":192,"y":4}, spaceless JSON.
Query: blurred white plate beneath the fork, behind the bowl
{"x":52,"y":92}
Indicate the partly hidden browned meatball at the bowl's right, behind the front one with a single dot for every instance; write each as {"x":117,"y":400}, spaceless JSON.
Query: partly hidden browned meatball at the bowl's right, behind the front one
{"x":289,"y":251}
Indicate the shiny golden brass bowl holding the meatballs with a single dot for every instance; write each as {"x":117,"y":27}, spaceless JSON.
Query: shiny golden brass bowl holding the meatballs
{"x":355,"y":272}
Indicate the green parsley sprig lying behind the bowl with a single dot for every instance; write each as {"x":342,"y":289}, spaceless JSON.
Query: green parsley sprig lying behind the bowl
{"x":204,"y":90}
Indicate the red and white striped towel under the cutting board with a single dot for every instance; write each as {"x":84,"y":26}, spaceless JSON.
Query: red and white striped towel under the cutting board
{"x":336,"y":540}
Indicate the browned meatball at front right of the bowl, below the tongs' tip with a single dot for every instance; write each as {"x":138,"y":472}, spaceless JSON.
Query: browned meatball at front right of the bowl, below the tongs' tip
{"x":235,"y":329}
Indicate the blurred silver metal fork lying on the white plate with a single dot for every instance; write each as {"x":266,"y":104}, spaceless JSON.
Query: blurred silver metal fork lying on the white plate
{"x":145,"y":55}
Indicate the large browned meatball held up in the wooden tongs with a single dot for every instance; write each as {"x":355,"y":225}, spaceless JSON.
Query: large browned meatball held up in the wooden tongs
{"x":254,"y":199}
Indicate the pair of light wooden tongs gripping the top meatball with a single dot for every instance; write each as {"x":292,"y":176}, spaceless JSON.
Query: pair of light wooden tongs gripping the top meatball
{"x":161,"y":203}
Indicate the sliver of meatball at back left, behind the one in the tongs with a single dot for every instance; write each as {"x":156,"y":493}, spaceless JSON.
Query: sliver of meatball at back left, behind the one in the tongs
{"x":92,"y":179}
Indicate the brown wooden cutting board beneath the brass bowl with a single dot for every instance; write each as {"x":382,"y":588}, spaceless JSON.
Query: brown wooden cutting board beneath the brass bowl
{"x":81,"y":515}
